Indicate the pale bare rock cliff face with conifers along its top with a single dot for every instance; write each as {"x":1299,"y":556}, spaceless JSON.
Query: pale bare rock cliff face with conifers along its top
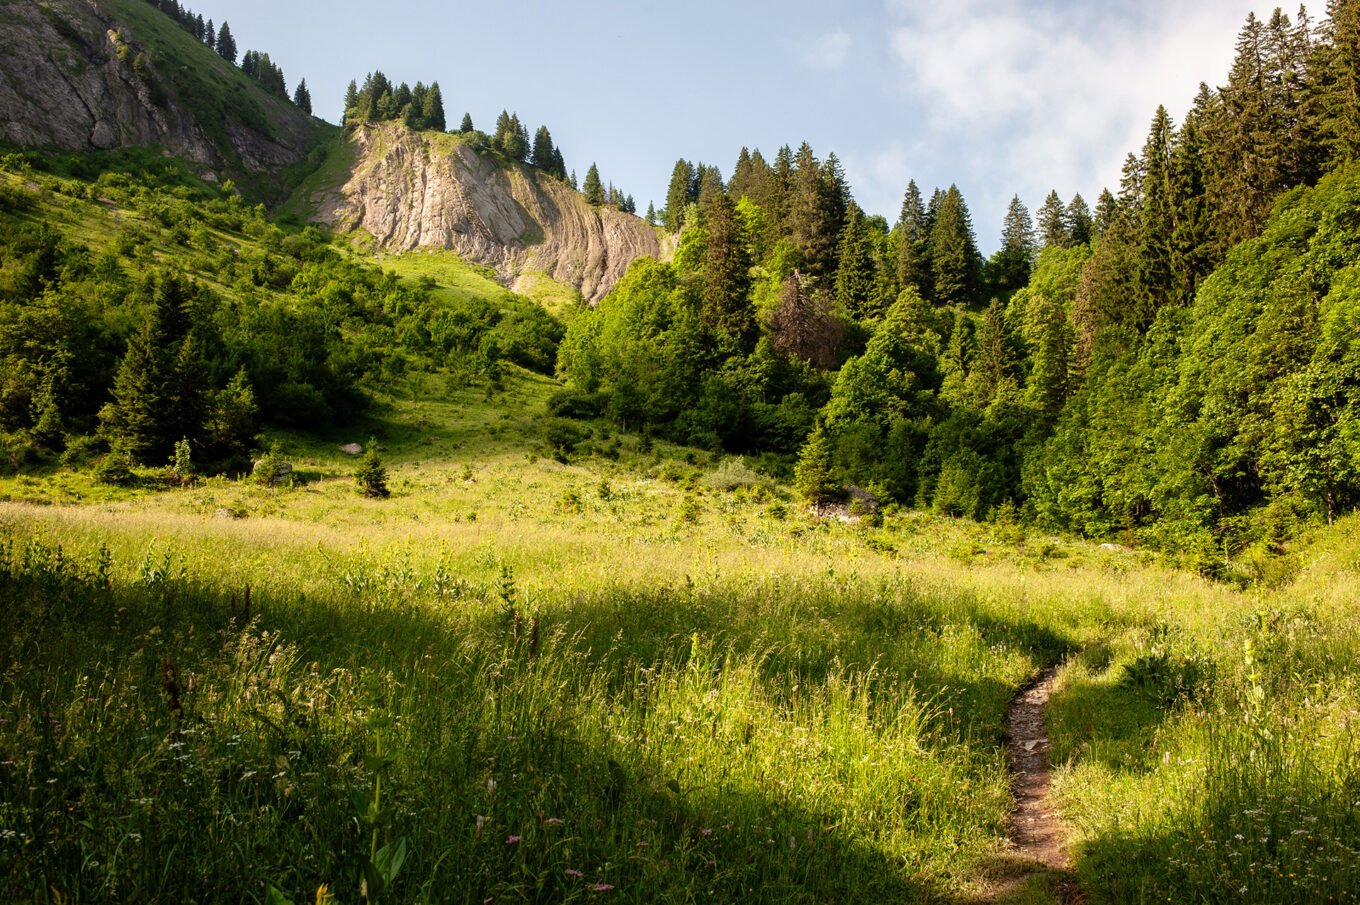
{"x":418,"y":190}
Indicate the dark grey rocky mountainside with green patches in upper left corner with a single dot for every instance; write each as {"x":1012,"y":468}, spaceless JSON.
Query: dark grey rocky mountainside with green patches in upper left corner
{"x":90,"y":76}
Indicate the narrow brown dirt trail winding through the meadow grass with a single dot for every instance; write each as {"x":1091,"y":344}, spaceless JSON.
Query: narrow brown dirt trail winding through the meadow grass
{"x":1037,"y":857}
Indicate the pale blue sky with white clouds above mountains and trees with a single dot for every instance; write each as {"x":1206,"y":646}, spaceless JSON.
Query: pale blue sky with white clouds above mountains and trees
{"x":999,"y":97}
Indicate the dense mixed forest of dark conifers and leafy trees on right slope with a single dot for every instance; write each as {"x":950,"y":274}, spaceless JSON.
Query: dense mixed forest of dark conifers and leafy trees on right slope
{"x":1176,"y":367}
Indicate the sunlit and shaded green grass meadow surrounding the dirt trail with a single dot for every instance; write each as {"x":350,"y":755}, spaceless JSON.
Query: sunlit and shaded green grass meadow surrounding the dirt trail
{"x":639,"y":676}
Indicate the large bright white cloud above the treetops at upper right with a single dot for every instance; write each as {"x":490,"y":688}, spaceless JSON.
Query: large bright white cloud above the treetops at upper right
{"x":1033,"y":96}
